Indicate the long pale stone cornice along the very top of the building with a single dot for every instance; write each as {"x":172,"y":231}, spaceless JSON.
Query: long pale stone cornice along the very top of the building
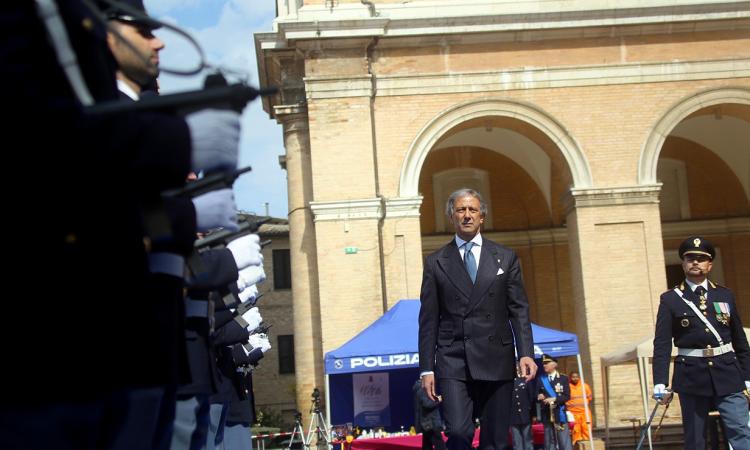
{"x":421,"y":18}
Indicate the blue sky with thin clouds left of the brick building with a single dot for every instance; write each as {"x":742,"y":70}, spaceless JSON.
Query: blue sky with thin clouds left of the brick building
{"x":224,"y":29}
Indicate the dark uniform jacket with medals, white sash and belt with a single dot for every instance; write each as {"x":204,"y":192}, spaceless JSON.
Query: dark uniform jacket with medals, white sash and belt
{"x":719,"y":375}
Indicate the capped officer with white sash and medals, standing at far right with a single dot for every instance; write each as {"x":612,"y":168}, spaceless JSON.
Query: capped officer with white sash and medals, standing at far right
{"x":713,"y":358}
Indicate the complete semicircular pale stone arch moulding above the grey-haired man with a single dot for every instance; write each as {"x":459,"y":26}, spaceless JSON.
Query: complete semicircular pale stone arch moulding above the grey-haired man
{"x":457,"y":114}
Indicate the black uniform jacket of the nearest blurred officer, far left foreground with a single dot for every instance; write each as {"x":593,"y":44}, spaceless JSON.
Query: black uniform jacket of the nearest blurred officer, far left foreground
{"x":91,"y":176}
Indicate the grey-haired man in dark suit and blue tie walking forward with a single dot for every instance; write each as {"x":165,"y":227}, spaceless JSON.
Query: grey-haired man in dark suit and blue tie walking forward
{"x":473,"y":303}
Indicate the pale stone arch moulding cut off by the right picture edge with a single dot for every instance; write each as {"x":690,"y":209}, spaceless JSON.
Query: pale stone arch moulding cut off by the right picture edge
{"x":649,"y":159}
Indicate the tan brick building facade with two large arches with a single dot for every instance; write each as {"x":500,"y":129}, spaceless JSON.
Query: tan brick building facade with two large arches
{"x":574,"y":118}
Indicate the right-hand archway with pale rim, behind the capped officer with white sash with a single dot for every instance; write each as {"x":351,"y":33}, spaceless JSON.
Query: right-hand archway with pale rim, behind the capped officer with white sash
{"x":703,"y":163}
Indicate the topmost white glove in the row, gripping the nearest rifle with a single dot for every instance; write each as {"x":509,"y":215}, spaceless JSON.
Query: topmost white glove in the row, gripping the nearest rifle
{"x":215,"y":137}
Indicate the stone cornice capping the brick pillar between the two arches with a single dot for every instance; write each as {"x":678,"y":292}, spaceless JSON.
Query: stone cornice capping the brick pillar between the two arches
{"x":615,"y":196}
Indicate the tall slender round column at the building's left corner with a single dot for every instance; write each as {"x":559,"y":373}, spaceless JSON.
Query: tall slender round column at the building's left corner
{"x":308,"y":353}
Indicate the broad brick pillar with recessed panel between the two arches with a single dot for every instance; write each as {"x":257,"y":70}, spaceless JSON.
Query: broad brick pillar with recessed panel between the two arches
{"x":617,"y":271}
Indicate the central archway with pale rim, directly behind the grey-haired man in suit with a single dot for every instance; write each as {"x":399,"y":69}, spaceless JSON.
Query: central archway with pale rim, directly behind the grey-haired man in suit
{"x":513,"y":154}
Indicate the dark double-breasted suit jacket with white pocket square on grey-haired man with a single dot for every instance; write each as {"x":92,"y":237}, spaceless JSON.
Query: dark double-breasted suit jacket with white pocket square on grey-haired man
{"x":469,"y":328}
